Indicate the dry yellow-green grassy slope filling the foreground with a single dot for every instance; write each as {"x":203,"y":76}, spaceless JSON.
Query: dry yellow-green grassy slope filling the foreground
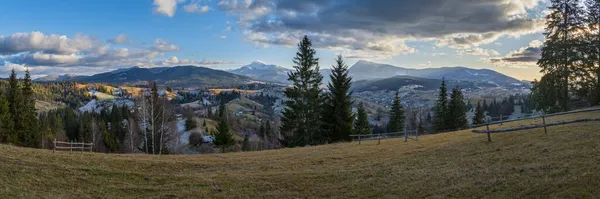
{"x":565,"y":163}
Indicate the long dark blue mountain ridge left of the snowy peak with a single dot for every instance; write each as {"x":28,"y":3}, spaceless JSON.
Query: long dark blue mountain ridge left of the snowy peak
{"x":171,"y":76}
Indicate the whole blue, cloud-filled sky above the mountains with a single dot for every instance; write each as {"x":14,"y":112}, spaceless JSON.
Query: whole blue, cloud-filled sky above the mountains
{"x":51,"y":37}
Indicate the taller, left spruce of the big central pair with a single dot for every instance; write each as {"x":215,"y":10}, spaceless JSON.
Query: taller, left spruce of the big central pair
{"x":301,"y":121}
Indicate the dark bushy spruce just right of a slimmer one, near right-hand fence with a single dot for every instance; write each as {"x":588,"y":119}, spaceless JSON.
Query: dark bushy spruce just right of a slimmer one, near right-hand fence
{"x":457,"y":111}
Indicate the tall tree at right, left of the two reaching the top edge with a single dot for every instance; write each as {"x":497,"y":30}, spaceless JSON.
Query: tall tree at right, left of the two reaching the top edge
{"x":561,"y":50}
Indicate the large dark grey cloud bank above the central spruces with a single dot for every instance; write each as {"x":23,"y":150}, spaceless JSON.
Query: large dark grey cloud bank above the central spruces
{"x":367,"y":24}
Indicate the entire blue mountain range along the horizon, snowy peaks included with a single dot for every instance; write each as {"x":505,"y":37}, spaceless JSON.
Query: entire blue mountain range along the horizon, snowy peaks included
{"x":366,"y":75}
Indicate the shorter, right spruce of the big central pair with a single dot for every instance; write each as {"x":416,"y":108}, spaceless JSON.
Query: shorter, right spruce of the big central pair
{"x":337,"y":108}
